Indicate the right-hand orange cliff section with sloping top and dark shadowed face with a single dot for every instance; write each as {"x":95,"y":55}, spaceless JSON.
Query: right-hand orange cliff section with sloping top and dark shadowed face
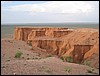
{"x":82,"y":41}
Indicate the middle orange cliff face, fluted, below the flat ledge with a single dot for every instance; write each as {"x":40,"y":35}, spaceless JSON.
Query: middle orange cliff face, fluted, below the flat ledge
{"x":52,"y":45}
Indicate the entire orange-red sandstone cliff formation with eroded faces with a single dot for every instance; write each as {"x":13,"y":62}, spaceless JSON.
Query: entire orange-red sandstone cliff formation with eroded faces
{"x":79,"y":44}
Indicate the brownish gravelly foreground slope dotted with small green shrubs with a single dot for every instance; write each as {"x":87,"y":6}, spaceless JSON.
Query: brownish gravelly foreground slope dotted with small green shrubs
{"x":36,"y":61}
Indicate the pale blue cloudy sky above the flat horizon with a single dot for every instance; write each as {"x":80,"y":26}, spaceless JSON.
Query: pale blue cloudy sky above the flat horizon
{"x":49,"y":11}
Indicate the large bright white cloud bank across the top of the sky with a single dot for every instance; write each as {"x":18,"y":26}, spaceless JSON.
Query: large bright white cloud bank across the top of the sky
{"x":54,"y":7}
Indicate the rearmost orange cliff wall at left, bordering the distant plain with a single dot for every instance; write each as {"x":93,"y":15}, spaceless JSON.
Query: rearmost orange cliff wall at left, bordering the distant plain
{"x":21,"y":33}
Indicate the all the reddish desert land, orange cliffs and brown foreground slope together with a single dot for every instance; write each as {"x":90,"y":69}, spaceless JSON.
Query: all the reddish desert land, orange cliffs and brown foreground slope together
{"x":51,"y":51}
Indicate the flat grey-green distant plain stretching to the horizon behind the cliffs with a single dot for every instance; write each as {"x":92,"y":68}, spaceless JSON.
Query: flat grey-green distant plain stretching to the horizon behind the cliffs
{"x":7,"y":29}
